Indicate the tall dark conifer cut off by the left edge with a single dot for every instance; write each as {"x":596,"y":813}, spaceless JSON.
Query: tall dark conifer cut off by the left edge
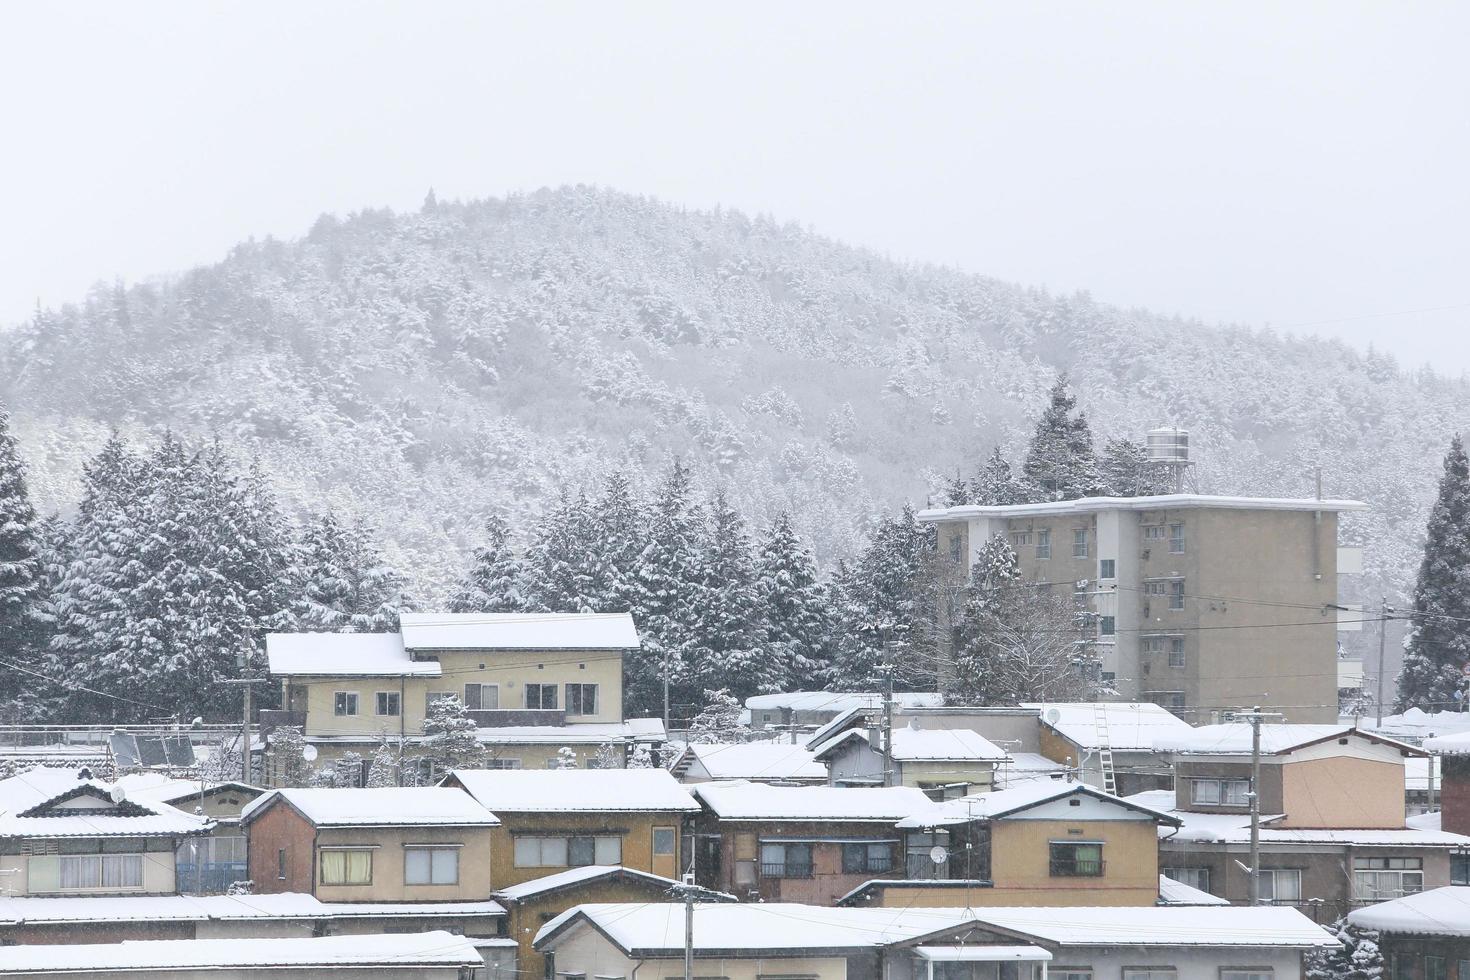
{"x":24,"y":622}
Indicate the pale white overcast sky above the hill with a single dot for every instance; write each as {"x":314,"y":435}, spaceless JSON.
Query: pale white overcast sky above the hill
{"x":1299,"y":165}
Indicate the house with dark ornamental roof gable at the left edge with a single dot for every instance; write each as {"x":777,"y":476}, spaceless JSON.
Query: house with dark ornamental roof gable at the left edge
{"x":64,"y":832}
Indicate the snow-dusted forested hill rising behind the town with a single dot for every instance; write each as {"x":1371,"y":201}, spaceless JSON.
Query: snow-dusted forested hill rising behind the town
{"x":424,"y":371}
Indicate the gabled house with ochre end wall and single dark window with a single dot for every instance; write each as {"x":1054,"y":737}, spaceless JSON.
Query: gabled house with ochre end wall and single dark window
{"x":1040,"y":844}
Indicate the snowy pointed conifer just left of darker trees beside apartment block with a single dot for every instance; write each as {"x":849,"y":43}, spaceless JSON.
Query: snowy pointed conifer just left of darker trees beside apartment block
{"x":793,"y":610}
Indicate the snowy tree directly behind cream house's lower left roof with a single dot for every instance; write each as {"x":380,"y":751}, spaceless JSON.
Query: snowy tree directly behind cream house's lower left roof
{"x":346,"y":584}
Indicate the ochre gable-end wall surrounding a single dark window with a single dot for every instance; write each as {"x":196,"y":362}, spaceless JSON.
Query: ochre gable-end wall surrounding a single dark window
{"x":1021,"y":863}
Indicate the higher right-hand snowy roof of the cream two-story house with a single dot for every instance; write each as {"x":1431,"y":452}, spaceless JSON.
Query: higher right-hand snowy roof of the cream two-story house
{"x":518,"y":631}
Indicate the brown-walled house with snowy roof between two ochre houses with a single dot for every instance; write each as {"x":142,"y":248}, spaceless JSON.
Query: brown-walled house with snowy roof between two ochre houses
{"x":806,"y":844}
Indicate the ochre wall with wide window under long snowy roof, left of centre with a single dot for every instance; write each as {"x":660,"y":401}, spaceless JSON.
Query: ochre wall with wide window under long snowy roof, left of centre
{"x":636,"y":831}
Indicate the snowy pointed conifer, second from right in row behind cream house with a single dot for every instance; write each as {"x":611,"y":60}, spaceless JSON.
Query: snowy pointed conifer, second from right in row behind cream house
{"x":730,"y":646}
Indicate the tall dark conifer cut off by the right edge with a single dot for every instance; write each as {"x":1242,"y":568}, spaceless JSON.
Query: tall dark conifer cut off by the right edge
{"x":1438,"y":644}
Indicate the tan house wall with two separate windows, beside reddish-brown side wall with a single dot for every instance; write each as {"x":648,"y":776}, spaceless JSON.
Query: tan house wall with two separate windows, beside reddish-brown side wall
{"x":389,"y":865}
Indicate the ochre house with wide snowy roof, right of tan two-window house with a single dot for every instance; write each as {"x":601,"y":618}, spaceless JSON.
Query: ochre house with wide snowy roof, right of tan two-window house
{"x":552,"y":821}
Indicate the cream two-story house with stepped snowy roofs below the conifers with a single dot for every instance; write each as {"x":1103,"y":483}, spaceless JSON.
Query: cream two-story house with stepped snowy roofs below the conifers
{"x":533,"y":684}
